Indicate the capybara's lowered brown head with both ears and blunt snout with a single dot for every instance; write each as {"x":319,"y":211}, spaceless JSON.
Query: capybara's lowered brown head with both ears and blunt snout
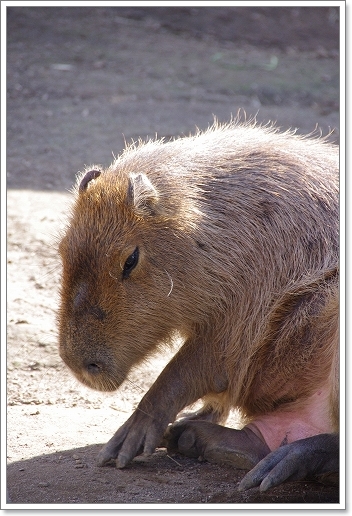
{"x":120,"y":255}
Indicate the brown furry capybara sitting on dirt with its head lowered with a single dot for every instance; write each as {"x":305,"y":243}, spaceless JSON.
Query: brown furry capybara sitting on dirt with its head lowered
{"x":228,"y":240}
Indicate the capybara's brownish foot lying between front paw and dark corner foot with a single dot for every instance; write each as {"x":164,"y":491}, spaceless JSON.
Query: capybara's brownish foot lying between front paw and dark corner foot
{"x":214,"y":443}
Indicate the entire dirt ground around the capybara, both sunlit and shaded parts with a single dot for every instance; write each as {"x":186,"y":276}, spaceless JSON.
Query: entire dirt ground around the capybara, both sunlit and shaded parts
{"x":80,"y":81}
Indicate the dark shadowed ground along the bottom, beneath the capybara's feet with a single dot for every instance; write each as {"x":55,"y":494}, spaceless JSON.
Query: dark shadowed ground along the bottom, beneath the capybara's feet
{"x":72,"y":477}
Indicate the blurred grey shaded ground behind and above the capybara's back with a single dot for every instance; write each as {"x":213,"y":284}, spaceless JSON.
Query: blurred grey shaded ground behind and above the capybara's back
{"x":81,"y":80}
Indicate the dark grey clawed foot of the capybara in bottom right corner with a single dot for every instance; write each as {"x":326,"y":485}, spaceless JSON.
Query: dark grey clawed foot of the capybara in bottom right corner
{"x":313,"y":456}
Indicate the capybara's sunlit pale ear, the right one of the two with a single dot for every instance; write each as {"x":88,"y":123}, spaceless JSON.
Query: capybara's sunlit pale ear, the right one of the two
{"x":142,"y":194}
